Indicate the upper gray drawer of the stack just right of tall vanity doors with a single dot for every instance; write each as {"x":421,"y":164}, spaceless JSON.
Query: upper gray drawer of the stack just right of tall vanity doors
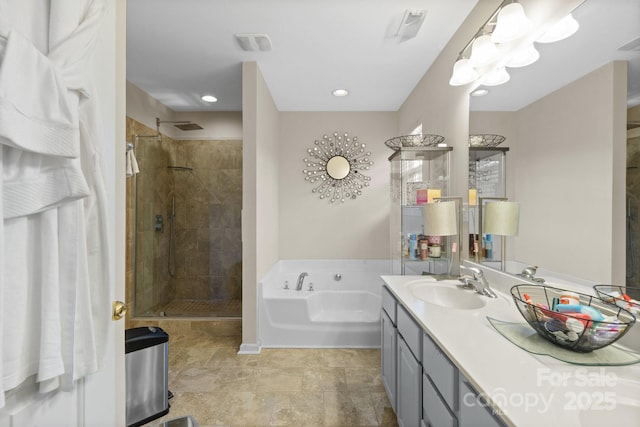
{"x":441,"y":371}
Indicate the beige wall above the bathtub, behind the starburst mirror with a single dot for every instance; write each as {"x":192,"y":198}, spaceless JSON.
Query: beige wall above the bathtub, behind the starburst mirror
{"x":311,"y":227}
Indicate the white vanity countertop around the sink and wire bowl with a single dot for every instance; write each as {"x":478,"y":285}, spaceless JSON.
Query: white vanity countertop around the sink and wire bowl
{"x":526,"y":389}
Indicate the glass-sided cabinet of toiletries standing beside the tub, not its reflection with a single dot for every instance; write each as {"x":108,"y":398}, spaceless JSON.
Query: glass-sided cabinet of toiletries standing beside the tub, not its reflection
{"x":418,"y":175}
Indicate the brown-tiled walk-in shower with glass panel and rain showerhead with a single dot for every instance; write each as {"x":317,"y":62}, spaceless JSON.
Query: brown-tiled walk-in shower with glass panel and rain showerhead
{"x":185,"y":207}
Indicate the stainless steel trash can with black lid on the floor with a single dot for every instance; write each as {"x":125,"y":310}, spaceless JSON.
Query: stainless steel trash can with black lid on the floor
{"x":147,"y":372}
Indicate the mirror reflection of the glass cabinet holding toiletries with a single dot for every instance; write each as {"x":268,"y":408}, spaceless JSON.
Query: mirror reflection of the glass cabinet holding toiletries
{"x":486,"y":180}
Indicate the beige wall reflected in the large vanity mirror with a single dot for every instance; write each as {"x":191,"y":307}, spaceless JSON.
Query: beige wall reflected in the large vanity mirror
{"x":568,"y":176}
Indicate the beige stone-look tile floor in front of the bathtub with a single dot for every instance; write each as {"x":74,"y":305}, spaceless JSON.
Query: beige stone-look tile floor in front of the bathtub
{"x":279,"y":387}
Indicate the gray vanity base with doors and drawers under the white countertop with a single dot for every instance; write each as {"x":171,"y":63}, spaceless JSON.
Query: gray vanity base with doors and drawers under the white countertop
{"x":425,"y":388}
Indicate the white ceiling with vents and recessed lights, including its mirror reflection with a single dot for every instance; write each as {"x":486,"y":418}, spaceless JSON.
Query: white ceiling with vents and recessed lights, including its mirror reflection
{"x":178,"y":50}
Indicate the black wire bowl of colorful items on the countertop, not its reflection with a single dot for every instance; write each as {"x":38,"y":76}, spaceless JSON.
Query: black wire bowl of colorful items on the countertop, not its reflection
{"x":581,"y":323}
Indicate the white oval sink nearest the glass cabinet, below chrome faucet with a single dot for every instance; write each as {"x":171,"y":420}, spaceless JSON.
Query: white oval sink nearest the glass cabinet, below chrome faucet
{"x":446,"y":295}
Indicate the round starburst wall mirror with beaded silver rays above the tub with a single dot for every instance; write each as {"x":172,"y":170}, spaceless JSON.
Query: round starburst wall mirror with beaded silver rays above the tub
{"x":335,"y":166}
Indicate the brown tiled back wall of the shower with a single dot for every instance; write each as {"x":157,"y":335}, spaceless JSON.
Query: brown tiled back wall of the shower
{"x":208,"y":202}
